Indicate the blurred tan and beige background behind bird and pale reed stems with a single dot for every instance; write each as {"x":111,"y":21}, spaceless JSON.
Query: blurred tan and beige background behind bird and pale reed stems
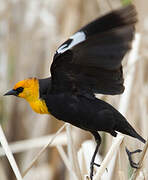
{"x":30,"y":32}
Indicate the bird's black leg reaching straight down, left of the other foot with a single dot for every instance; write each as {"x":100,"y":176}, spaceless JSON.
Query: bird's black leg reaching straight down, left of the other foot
{"x":98,"y":141}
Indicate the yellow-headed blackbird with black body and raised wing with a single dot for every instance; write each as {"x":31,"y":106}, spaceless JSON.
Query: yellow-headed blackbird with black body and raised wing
{"x":88,"y":62}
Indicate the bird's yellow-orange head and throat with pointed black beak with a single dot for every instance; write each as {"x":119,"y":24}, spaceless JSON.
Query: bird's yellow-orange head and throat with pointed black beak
{"x":29,"y":90}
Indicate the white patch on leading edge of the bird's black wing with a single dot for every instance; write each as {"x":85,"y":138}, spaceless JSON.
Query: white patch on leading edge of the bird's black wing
{"x":75,"y":39}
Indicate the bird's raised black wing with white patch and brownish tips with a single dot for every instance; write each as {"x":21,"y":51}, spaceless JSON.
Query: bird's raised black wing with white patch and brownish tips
{"x":90,"y":60}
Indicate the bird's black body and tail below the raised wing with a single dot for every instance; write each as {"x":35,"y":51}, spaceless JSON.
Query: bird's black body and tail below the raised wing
{"x":90,"y":114}
